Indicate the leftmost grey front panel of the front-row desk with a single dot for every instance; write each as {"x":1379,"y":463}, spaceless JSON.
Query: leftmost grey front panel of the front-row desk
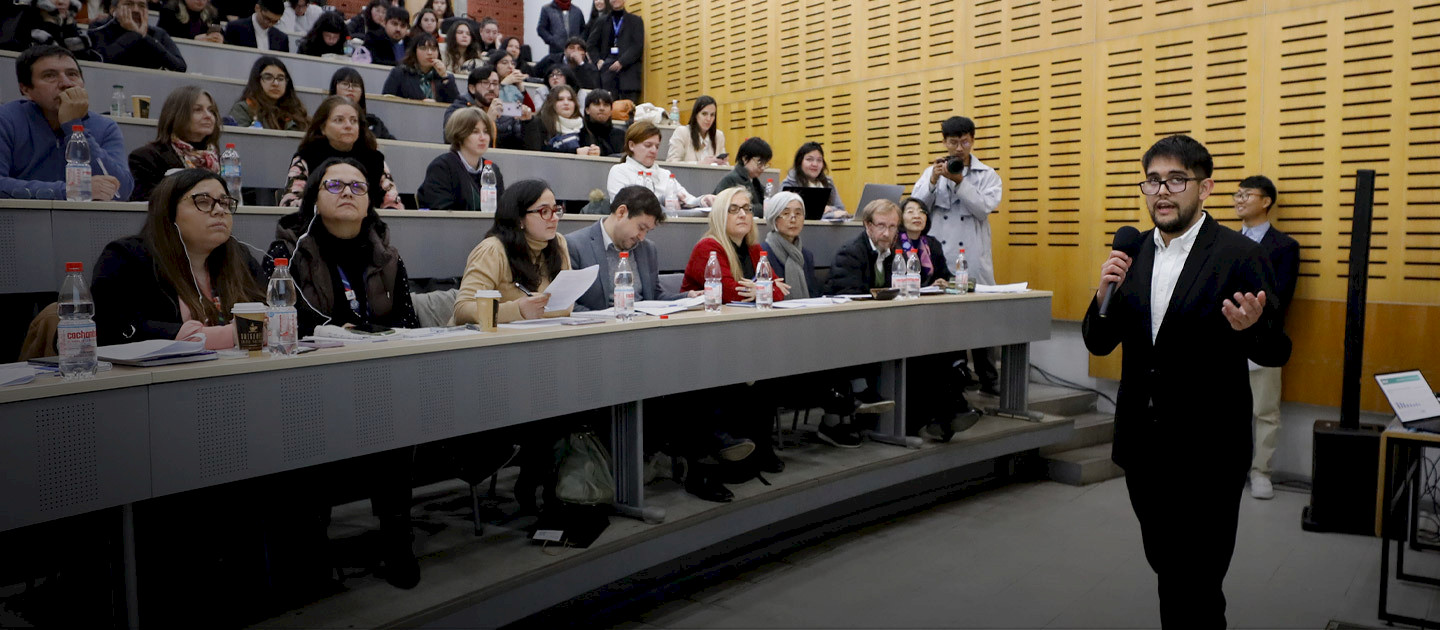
{"x":73,"y":455}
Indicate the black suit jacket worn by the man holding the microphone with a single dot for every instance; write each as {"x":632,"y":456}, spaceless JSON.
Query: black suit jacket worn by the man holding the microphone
{"x":1184,"y":401}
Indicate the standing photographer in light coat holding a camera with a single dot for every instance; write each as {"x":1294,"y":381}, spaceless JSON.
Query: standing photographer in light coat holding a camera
{"x":963,"y":192}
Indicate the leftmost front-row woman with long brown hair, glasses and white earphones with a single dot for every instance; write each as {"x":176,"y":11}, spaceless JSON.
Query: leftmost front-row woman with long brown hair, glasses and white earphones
{"x":182,"y":274}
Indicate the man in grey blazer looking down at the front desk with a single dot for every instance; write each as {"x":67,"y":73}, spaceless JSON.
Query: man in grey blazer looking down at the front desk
{"x":634,"y":212}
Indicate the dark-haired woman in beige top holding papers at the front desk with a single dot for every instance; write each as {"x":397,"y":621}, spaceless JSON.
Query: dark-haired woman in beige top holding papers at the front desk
{"x":522,"y":251}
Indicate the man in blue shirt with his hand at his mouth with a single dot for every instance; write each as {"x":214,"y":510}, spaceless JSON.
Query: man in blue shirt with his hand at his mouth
{"x":35,"y":130}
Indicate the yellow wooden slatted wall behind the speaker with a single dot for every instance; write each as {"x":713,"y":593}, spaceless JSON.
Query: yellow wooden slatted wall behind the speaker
{"x":1068,"y":96}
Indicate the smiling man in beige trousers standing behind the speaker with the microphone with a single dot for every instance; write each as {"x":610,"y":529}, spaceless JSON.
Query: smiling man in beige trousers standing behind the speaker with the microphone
{"x":1255,"y":201}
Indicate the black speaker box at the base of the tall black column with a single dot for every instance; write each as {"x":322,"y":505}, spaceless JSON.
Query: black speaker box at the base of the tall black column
{"x":1344,"y":471}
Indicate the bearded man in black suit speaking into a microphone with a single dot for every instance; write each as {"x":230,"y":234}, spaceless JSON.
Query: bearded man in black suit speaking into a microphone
{"x":1190,"y":307}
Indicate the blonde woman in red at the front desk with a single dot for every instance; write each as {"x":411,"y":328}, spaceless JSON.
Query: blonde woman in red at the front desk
{"x":732,"y":238}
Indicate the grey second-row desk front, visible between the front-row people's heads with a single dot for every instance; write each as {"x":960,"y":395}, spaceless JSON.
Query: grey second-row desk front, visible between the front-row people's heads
{"x":38,"y":238}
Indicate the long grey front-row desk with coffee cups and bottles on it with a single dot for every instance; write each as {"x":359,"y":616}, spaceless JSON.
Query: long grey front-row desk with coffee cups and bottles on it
{"x":130,"y":435}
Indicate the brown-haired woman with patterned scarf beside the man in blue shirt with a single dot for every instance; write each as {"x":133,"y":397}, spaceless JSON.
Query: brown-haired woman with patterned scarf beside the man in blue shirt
{"x":186,"y":137}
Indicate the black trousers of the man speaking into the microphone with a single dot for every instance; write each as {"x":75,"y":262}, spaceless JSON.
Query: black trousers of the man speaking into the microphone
{"x":1189,"y":523}
